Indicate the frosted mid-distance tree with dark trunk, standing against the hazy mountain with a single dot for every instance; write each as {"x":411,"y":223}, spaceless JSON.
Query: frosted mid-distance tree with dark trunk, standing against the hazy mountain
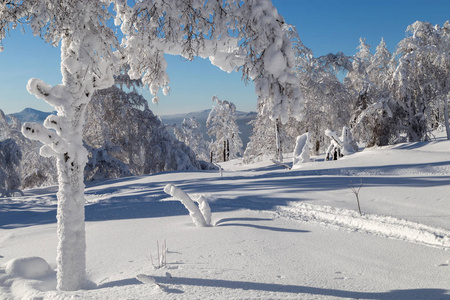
{"x":222,"y":125}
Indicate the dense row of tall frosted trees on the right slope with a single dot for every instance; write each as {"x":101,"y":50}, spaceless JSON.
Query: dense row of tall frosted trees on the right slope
{"x":385,"y":98}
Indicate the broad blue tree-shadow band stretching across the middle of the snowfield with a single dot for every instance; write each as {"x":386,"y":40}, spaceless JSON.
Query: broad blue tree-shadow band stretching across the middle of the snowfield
{"x":139,"y":197}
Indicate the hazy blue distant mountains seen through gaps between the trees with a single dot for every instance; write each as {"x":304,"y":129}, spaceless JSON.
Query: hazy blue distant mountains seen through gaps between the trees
{"x":243,"y":118}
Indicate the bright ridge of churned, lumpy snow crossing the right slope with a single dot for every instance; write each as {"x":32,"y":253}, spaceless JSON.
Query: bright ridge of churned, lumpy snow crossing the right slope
{"x":384,"y":226}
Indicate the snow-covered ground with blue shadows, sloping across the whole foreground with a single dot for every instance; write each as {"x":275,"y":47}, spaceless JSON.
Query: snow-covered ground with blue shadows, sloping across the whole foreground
{"x":278,"y":234}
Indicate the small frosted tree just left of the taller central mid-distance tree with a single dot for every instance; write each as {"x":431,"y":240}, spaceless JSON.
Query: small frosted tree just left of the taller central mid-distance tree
{"x":190,"y":134}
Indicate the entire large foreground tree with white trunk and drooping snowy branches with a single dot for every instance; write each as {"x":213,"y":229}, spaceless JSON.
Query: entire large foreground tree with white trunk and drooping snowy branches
{"x":247,"y":35}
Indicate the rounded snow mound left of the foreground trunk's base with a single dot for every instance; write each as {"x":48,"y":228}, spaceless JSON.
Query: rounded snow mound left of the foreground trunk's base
{"x":28,"y":267}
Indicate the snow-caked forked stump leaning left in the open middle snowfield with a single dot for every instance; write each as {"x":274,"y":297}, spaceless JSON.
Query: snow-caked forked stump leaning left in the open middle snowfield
{"x":201,"y":216}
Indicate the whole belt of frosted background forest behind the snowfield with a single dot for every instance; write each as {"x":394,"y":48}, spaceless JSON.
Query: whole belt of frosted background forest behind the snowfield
{"x":384,"y":98}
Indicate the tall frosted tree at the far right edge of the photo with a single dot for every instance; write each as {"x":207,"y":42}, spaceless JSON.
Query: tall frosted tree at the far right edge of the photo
{"x":421,"y":79}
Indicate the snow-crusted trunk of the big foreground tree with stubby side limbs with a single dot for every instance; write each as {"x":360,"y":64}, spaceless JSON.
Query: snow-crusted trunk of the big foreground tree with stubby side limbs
{"x":86,"y":65}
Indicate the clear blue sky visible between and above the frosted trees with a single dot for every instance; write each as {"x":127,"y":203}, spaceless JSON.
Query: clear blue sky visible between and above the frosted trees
{"x":324,"y":26}
